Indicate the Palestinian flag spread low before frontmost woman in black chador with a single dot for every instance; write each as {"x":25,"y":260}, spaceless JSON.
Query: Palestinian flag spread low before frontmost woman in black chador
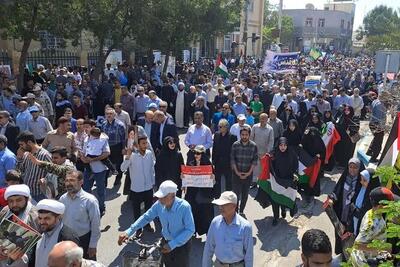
{"x":277,"y":193}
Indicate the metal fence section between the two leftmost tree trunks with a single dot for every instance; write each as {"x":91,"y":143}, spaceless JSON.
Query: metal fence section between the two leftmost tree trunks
{"x":59,"y":57}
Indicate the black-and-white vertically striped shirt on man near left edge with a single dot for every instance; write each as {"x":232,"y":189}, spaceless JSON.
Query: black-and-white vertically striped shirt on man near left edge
{"x":31,"y":173}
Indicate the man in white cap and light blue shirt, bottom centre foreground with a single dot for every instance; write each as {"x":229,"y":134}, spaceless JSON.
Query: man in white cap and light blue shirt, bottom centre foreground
{"x":229,"y":237}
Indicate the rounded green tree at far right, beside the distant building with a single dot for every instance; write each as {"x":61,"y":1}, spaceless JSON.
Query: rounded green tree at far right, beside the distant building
{"x":380,"y":27}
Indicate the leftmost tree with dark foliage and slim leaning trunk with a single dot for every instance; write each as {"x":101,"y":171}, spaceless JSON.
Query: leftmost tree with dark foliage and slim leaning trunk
{"x":23,"y":20}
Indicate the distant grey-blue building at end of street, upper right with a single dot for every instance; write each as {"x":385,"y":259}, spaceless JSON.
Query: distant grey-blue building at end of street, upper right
{"x":328,"y":29}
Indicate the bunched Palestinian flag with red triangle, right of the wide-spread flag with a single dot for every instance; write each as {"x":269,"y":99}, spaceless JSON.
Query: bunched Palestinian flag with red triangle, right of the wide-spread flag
{"x":308,"y":168}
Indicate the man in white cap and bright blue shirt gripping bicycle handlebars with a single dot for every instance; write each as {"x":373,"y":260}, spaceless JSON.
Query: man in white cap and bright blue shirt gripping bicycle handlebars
{"x":177,"y":223}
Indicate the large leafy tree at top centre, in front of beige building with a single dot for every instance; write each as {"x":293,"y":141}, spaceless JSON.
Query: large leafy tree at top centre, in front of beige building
{"x":172,"y":24}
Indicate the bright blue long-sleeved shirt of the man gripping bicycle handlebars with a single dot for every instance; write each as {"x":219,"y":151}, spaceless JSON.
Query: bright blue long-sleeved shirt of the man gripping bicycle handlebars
{"x":177,"y":223}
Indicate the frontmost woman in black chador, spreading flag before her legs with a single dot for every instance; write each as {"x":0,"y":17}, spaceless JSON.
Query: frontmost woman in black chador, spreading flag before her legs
{"x":284,"y":165}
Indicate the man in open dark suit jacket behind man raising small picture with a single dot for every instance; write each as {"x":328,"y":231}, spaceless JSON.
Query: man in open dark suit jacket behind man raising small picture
{"x":163,"y":126}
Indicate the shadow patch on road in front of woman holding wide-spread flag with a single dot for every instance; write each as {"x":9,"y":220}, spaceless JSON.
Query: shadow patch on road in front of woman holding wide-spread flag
{"x":282,"y":237}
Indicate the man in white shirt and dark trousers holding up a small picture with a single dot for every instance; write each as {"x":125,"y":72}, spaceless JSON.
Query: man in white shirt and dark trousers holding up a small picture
{"x":141,"y":170}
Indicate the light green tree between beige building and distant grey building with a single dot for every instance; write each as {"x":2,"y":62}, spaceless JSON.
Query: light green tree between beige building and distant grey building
{"x":271,"y":29}
